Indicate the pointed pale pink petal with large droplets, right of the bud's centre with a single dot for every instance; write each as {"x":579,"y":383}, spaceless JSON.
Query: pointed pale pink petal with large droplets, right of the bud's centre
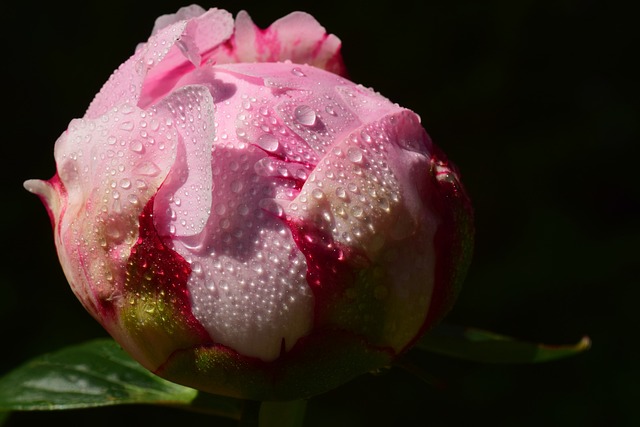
{"x":352,"y":190}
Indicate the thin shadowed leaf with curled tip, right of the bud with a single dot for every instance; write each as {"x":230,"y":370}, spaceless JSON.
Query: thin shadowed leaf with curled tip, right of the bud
{"x":487,"y":347}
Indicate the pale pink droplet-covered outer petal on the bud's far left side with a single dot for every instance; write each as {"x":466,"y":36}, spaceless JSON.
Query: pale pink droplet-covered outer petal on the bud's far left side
{"x":111,"y":166}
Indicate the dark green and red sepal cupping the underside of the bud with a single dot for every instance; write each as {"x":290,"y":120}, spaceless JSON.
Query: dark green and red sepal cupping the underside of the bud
{"x":317,"y":363}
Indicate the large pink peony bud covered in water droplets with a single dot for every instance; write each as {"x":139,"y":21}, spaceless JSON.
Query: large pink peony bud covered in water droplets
{"x":244,"y":220}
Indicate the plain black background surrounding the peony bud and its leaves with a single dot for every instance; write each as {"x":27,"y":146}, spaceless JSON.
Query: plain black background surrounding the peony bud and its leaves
{"x":536,"y":101}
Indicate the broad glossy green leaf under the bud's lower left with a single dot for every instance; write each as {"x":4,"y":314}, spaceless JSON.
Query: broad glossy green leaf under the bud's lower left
{"x":95,"y":373}
